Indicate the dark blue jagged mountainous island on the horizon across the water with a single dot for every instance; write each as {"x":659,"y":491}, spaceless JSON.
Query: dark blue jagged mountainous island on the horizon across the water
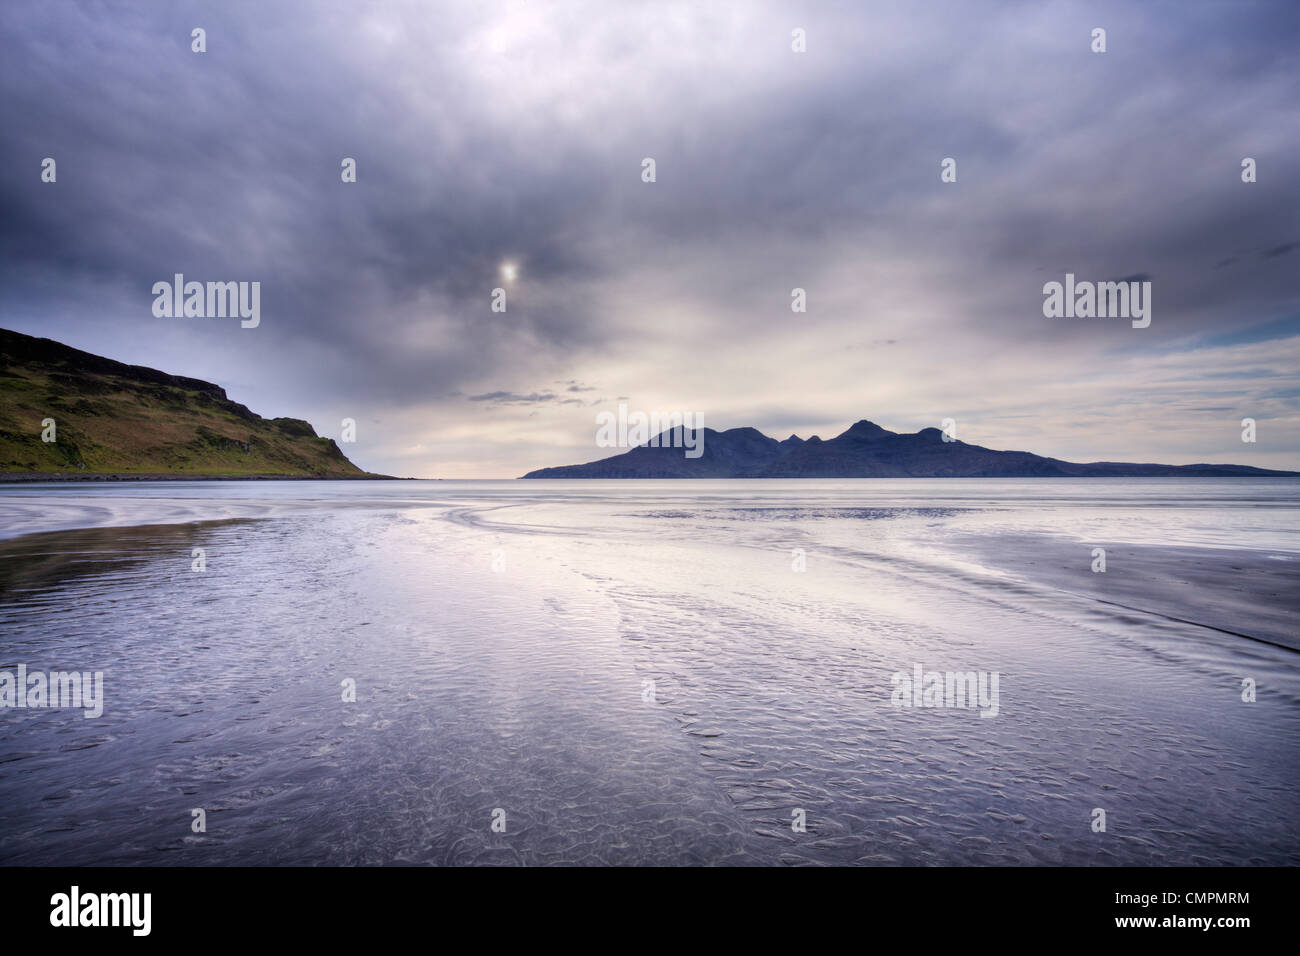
{"x":864,"y":451}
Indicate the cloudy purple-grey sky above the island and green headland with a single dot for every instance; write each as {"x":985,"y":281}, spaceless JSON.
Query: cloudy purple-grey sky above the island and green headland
{"x":502,"y":146}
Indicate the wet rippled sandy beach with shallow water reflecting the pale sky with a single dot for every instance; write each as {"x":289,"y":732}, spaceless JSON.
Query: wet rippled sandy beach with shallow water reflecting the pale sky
{"x":655,"y":673}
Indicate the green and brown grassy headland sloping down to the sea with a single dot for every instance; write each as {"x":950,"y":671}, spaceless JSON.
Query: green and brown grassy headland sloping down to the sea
{"x":112,"y":421}
